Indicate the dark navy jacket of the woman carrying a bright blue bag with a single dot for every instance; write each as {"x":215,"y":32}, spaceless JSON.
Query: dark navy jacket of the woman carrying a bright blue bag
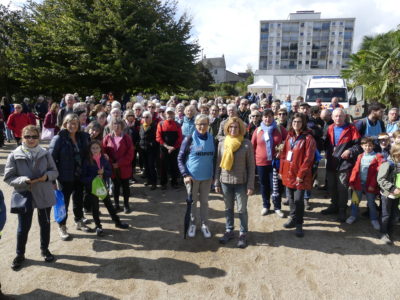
{"x":61,"y":148}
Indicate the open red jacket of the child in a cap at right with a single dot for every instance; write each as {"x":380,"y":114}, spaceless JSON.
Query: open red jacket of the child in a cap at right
{"x":372,"y":184}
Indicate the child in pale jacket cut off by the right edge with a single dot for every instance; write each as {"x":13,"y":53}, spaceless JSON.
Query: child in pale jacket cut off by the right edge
{"x":389,"y":183}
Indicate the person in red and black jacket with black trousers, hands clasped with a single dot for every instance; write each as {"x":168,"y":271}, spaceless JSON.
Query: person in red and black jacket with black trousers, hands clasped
{"x":169,"y":136}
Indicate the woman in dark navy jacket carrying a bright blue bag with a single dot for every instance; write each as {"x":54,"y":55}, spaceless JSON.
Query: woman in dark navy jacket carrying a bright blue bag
{"x":68,"y":149}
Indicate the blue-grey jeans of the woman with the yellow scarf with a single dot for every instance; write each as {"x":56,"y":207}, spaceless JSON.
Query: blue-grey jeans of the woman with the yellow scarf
{"x":231,"y":193}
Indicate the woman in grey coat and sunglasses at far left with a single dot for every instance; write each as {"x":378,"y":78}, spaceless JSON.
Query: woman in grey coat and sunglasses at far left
{"x":30,"y":168}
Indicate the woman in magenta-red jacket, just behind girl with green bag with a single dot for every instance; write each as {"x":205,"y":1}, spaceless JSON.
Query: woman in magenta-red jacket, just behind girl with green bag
{"x":119,"y":148}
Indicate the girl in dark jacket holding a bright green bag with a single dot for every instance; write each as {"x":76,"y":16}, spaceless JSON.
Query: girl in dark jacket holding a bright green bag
{"x":97,"y":164}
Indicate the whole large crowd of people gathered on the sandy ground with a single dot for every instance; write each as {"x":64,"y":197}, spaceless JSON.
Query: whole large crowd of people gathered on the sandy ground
{"x":221,"y":145}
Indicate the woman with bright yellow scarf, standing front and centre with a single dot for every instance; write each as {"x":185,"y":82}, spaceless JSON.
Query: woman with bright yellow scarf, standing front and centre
{"x":234,"y":174}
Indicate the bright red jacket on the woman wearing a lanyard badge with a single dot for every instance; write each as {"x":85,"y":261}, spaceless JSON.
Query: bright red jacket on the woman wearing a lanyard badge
{"x":300,"y":165}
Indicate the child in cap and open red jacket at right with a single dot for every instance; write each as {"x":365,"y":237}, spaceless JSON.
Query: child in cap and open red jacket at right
{"x":363,"y":180}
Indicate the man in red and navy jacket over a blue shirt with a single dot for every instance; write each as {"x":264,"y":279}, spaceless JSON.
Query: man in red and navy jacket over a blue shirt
{"x":342,"y":146}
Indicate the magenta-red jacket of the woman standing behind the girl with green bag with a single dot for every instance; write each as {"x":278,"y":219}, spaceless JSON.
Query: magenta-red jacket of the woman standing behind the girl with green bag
{"x":123,"y":156}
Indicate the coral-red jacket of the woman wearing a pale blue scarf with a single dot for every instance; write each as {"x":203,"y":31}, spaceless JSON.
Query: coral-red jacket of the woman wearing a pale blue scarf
{"x":260,"y":149}
